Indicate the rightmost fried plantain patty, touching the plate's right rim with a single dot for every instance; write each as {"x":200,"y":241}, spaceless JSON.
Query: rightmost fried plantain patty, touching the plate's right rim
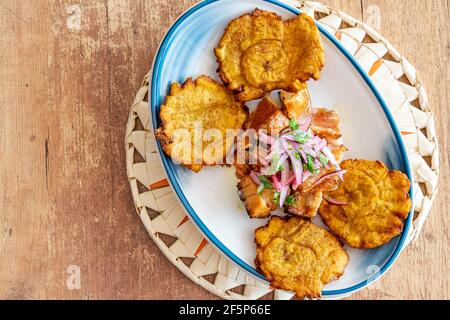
{"x":377,"y":204}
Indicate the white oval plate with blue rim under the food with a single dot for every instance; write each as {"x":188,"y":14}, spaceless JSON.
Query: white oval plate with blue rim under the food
{"x":210,"y":197}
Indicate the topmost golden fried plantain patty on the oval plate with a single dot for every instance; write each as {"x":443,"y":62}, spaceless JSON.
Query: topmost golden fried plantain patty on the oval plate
{"x":259,"y":52}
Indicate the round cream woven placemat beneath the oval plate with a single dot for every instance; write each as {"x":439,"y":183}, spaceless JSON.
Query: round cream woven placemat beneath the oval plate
{"x":166,"y":220}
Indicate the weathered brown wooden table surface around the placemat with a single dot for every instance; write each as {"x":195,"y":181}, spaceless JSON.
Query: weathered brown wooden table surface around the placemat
{"x":69,"y":70}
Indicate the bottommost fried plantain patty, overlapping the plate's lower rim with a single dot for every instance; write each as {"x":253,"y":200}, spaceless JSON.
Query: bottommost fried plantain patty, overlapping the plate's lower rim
{"x":296,"y":255}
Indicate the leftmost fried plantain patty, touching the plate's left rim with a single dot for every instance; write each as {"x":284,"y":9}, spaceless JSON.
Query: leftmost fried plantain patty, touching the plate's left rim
{"x":205,"y":102}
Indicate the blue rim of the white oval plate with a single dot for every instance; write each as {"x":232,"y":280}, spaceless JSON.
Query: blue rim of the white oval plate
{"x":155,"y":103}
